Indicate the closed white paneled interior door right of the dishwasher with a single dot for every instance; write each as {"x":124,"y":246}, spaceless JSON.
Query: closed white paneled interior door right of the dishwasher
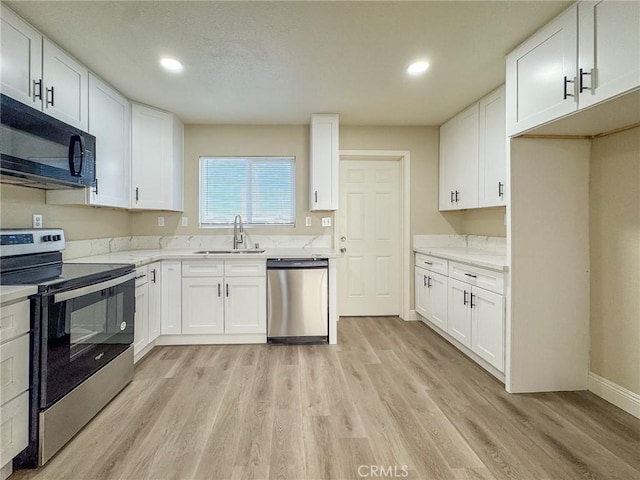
{"x":369,"y":230}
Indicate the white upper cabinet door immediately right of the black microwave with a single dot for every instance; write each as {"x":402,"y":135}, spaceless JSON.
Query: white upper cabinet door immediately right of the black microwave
{"x":110,"y":122}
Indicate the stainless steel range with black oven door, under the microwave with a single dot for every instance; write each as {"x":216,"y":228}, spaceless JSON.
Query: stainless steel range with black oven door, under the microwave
{"x":82,"y":331}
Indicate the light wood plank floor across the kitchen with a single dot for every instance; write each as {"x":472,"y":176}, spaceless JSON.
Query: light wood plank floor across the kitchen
{"x":391,"y":395}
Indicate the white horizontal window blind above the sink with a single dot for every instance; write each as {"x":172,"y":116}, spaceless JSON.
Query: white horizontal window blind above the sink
{"x":261,"y":189}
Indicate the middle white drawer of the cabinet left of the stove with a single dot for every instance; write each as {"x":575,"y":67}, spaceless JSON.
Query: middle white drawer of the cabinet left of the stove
{"x":14,"y":368}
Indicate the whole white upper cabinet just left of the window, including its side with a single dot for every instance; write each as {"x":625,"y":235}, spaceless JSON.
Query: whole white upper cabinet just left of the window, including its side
{"x":156,"y":159}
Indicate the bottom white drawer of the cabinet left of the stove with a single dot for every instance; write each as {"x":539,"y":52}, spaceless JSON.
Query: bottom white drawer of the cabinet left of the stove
{"x":14,"y":427}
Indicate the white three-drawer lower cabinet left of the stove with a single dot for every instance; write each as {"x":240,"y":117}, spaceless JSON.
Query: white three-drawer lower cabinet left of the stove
{"x":14,"y":379}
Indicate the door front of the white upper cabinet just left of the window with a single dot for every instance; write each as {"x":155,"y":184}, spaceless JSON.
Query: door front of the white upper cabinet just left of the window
{"x":151,"y":165}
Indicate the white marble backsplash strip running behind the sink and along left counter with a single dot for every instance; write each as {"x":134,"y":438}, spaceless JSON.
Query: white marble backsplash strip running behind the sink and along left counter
{"x":99,"y":246}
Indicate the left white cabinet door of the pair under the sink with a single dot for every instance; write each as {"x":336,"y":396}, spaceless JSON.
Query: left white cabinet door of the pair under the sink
{"x":202,"y":305}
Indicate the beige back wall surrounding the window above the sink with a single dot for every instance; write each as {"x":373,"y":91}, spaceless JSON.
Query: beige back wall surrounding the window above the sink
{"x":237,"y":140}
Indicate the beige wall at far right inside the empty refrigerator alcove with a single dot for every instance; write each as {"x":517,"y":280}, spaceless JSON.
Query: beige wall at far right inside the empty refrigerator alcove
{"x":615,"y":258}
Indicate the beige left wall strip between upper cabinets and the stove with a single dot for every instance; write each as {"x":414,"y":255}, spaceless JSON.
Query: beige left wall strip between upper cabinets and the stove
{"x":18,"y":204}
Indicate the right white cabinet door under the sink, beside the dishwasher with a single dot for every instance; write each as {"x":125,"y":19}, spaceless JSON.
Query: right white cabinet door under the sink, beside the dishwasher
{"x":245,"y":305}
